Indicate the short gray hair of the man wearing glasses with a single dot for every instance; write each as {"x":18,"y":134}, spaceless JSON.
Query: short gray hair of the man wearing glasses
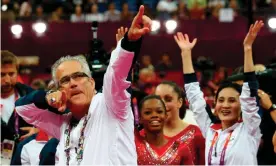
{"x":79,"y":58}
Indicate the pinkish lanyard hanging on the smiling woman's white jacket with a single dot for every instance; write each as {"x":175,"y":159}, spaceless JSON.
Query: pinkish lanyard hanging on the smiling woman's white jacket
{"x":223,"y":150}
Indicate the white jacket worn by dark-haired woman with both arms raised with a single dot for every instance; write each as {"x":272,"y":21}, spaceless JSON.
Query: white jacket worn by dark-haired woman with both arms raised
{"x":244,"y":141}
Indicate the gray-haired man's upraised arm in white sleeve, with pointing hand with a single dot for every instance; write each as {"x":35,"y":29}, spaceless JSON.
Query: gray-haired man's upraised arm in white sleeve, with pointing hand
{"x":115,"y":80}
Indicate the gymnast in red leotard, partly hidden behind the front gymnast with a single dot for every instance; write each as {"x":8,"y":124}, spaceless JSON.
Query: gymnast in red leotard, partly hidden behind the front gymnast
{"x":175,"y":128}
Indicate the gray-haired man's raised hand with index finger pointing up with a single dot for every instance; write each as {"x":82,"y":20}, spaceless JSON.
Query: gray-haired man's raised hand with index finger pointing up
{"x":141,"y":25}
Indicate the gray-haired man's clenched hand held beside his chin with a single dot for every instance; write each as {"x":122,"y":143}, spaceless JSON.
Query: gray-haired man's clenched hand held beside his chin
{"x":57,"y":99}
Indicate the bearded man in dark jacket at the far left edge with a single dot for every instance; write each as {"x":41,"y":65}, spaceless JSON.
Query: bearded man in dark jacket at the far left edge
{"x":13,"y":127}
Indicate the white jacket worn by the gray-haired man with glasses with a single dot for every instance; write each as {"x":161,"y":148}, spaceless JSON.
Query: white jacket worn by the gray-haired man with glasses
{"x":109,"y":133}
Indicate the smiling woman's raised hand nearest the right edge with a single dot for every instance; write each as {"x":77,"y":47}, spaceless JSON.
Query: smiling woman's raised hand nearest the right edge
{"x":252,"y":33}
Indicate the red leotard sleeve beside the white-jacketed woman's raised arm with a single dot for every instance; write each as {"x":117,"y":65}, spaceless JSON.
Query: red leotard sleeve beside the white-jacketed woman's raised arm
{"x":200,"y":147}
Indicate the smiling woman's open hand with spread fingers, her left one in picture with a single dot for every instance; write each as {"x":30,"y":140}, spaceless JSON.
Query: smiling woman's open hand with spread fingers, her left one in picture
{"x":183,"y":41}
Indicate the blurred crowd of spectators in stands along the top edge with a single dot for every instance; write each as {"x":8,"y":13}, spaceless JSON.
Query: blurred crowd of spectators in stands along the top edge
{"x":116,"y":10}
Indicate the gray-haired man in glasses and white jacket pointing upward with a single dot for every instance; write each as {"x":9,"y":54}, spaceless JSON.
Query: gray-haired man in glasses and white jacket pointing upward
{"x":99,"y":129}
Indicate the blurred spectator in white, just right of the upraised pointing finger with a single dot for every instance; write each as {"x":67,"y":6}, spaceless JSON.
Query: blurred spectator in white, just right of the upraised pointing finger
{"x":165,"y":8}
